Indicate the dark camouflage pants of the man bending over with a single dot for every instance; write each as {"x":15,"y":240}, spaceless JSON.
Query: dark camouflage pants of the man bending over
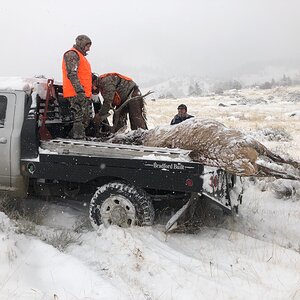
{"x":136,"y":111}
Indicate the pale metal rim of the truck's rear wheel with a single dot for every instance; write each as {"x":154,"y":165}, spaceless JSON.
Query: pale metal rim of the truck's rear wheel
{"x":117,"y":210}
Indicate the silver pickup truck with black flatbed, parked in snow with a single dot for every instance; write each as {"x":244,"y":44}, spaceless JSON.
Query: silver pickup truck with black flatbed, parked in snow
{"x":121,"y":181}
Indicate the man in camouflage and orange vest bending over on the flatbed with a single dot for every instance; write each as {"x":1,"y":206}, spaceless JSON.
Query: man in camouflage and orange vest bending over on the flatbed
{"x":115,"y":89}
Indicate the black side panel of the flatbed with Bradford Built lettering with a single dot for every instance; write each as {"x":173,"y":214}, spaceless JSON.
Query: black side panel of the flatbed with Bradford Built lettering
{"x":147,"y":174}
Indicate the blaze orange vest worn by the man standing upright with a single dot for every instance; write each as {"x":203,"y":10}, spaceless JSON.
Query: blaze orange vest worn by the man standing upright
{"x":84,"y":76}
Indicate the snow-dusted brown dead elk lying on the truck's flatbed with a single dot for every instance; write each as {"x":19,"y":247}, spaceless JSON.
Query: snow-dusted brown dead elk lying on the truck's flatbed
{"x":213,"y":144}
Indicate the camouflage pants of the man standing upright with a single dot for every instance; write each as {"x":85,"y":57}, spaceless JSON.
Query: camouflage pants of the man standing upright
{"x":81,"y":111}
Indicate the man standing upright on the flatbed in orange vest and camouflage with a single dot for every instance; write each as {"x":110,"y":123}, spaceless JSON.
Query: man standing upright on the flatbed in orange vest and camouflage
{"x":77,"y":84}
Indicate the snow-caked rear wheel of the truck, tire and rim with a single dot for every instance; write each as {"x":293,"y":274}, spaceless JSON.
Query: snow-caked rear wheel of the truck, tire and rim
{"x":121,"y":204}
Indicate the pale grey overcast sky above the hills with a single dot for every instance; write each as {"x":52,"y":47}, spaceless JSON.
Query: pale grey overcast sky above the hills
{"x":148,"y":39}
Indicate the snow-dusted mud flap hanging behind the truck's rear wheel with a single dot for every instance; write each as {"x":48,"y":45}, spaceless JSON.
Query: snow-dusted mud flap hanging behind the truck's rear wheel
{"x":185,"y":213}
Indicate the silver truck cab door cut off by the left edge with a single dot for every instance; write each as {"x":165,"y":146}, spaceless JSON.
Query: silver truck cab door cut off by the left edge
{"x":7,"y":111}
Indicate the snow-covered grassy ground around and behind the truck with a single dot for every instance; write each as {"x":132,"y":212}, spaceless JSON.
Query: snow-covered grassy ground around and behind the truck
{"x":254,"y":256}
